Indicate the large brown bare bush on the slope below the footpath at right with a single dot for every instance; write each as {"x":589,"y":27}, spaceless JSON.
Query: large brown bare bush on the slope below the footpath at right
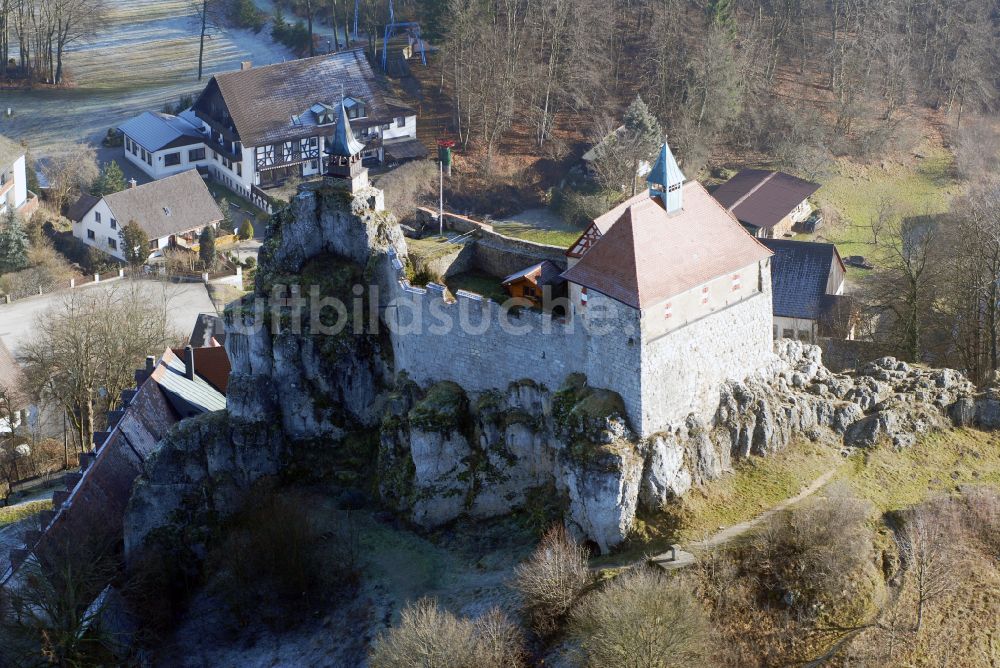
{"x":808,"y":555}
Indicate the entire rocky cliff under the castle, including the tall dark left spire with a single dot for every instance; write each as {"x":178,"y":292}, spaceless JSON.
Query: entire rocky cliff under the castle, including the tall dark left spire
{"x":444,"y":452}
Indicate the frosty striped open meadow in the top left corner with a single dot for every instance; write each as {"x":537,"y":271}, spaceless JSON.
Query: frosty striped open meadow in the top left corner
{"x":145,"y":56}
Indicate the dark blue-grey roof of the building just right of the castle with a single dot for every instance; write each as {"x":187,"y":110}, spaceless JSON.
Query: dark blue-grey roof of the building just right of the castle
{"x":800,"y":271}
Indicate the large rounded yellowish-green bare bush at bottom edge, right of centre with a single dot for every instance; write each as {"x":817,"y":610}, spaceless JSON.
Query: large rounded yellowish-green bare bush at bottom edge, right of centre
{"x":642,"y":618}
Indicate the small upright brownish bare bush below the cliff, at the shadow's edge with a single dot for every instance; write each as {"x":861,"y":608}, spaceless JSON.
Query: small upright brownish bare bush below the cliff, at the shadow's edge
{"x":552,"y":579}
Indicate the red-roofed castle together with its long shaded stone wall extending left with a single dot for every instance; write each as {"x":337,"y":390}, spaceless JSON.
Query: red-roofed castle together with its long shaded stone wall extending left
{"x":668,"y":298}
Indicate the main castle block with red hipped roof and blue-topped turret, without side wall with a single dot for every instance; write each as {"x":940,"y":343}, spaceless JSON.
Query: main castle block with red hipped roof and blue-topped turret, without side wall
{"x":692,"y":290}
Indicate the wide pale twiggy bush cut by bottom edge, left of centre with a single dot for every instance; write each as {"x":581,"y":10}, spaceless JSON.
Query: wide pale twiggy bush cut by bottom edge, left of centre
{"x":429,"y":636}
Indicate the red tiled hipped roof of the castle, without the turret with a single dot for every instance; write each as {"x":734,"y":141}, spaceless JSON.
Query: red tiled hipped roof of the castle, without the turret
{"x":647,"y":255}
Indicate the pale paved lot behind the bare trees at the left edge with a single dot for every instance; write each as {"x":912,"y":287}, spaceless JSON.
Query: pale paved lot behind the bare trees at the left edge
{"x":185,"y":301}
